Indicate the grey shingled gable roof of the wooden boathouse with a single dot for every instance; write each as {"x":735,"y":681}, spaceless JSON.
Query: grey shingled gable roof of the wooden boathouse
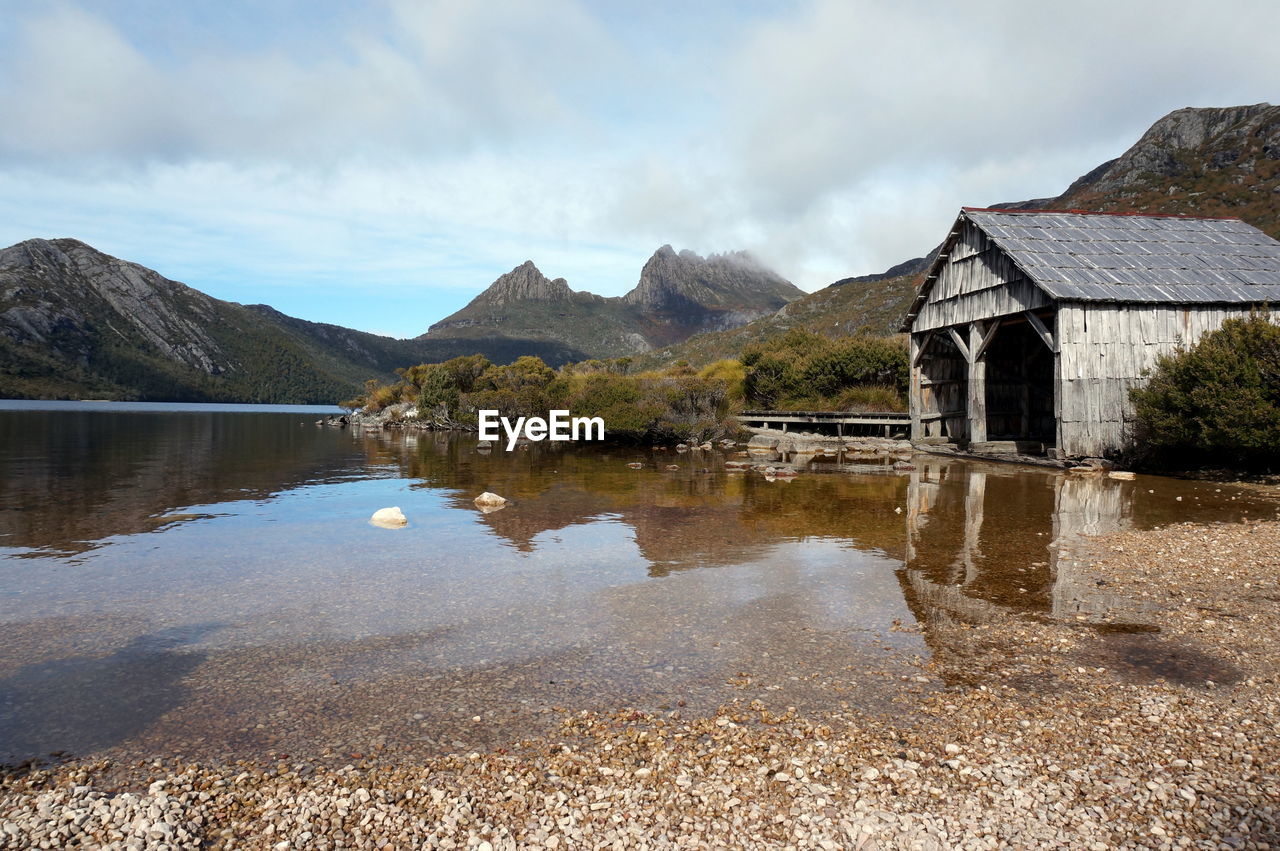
{"x":1128,"y":258}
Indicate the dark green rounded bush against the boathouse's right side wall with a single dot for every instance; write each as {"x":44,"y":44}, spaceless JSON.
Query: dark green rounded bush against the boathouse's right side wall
{"x":1218,"y":402}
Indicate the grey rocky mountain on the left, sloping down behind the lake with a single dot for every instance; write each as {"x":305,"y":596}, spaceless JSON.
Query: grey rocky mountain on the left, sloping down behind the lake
{"x":76,"y":323}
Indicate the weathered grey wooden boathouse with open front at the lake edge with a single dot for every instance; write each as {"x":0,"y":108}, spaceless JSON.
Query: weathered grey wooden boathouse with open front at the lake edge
{"x":1031,"y":327}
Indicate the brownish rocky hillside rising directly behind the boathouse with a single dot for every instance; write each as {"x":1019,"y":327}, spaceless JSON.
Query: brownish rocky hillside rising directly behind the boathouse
{"x":1205,"y":162}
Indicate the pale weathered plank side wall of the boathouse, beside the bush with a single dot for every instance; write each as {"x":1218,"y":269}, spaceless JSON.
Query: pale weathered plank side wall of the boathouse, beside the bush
{"x":1104,"y":350}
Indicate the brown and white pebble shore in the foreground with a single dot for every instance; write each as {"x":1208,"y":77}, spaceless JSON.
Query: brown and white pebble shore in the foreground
{"x":1156,"y":730}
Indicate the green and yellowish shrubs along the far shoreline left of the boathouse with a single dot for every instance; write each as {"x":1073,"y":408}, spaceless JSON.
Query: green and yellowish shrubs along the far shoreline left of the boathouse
{"x":799,"y":370}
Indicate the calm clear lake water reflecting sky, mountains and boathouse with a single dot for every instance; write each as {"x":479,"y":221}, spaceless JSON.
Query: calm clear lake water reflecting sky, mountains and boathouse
{"x":204,"y":582}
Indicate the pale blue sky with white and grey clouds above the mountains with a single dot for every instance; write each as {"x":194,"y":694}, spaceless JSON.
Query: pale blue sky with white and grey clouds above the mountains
{"x":378,"y":164}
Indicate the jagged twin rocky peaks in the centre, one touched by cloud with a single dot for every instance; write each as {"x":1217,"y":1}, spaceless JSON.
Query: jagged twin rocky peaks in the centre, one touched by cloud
{"x":679,"y":295}
